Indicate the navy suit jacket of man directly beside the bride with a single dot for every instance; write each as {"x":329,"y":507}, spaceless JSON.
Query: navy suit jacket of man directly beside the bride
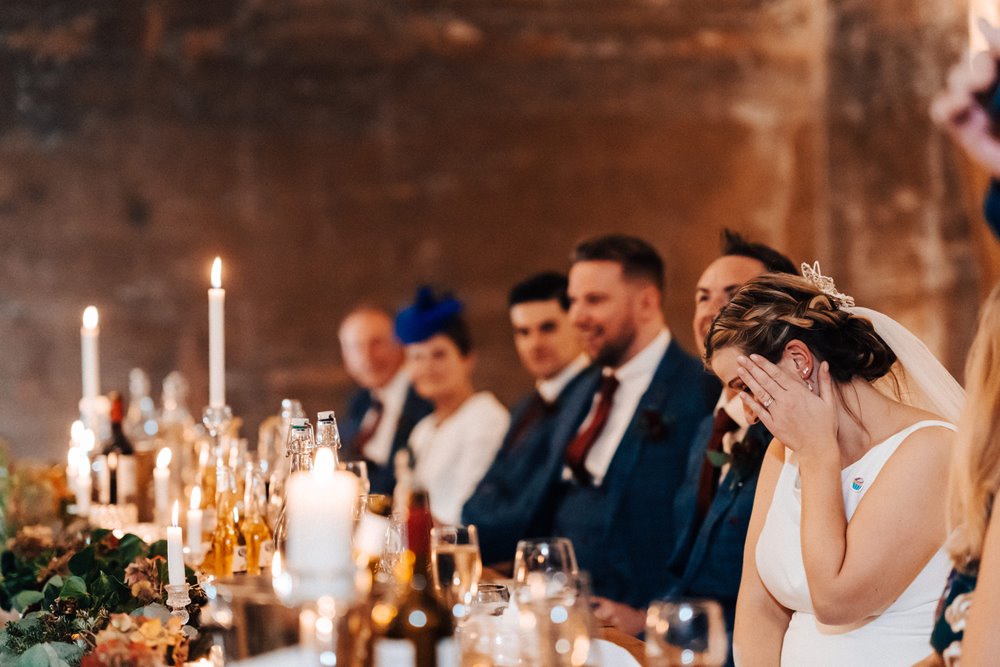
{"x":708,"y":563}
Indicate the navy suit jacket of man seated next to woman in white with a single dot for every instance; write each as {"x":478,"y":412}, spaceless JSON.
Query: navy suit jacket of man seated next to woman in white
{"x":506,"y":501}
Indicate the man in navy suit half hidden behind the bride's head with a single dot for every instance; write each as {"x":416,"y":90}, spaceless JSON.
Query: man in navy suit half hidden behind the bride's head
{"x":712,"y":508}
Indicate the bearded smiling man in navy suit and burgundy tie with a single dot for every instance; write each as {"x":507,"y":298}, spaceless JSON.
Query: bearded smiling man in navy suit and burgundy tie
{"x":622,"y":442}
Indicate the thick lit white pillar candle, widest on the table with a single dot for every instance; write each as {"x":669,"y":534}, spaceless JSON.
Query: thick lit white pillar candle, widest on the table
{"x":320,"y":518}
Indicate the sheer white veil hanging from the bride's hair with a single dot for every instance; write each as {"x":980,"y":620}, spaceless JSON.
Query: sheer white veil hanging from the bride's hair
{"x":923,"y":381}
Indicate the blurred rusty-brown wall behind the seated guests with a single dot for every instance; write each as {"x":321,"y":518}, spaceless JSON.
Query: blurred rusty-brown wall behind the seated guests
{"x":337,"y":151}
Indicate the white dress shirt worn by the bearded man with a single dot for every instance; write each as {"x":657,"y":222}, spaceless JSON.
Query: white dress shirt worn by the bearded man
{"x":634,"y":377}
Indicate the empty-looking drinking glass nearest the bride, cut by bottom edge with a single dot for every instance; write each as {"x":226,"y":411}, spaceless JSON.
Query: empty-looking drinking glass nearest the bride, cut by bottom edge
{"x":683,"y":631}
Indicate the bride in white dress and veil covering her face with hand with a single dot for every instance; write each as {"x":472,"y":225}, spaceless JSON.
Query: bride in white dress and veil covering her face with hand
{"x":844,"y":556}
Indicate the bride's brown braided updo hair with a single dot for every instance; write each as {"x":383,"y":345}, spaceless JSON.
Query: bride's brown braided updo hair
{"x":775,"y":308}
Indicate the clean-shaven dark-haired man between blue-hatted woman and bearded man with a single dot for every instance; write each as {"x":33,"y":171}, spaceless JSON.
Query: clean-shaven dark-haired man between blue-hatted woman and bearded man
{"x":549,"y":349}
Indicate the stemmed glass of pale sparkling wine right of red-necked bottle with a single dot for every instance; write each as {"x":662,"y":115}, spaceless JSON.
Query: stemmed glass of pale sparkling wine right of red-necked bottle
{"x":456,"y":566}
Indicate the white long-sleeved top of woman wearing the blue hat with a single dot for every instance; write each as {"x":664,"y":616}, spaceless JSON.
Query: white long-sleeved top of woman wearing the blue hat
{"x":451,"y":457}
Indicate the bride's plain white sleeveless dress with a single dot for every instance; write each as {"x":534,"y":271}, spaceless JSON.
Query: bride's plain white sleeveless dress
{"x":900,"y":635}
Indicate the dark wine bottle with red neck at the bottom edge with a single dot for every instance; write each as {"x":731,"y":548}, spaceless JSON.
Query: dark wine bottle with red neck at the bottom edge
{"x":415,"y":630}
